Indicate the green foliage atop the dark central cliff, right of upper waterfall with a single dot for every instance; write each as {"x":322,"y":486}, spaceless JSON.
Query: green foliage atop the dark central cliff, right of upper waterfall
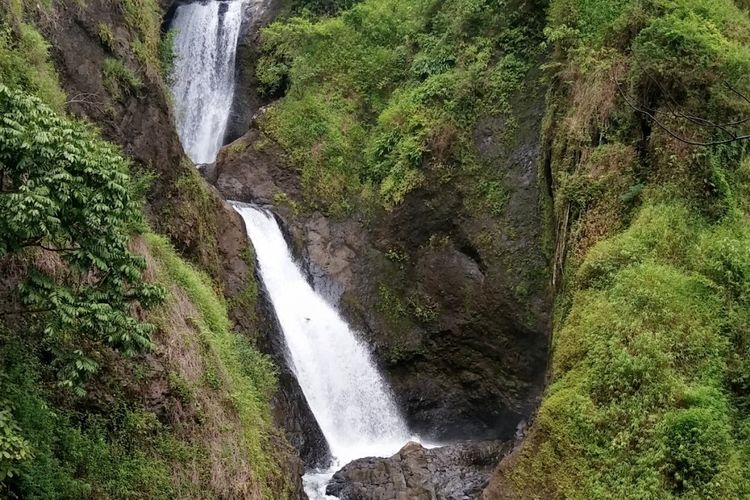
{"x":386,"y":95}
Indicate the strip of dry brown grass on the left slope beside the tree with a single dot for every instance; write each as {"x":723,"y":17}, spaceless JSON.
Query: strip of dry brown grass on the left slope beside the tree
{"x":207,"y":421}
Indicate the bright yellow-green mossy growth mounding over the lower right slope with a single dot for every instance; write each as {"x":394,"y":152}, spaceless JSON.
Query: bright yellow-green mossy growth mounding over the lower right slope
{"x":646,"y":332}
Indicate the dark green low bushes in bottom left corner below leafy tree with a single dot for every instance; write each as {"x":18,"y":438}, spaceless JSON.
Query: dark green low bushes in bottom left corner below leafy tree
{"x":71,"y":454}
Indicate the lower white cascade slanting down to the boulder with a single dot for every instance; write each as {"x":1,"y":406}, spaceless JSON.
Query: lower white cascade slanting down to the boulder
{"x":347,"y":395}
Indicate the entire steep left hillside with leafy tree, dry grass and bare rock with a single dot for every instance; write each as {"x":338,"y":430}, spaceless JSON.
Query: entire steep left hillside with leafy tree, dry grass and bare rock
{"x":121,"y":373}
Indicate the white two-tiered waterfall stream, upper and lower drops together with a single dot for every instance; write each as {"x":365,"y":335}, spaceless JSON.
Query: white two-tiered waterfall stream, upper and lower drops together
{"x":347,"y":395}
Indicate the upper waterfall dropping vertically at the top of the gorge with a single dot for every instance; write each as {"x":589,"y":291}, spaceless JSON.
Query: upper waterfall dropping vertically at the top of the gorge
{"x":205,"y":45}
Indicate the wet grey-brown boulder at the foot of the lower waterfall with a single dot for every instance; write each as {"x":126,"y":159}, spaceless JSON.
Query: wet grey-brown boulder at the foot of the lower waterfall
{"x":456,"y":472}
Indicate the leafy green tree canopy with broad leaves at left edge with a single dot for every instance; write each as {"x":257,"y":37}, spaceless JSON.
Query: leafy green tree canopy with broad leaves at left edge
{"x":67,"y":203}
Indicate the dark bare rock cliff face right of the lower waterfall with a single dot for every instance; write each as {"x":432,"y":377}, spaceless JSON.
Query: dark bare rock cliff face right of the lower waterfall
{"x":453,"y":298}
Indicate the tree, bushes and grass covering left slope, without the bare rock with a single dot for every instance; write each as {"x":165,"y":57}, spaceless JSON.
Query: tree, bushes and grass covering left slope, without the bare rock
{"x":82,"y":294}
